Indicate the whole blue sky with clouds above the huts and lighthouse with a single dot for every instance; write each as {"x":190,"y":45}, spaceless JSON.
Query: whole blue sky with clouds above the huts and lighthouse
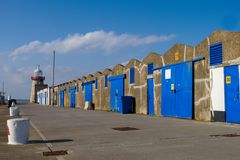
{"x":91,"y":35}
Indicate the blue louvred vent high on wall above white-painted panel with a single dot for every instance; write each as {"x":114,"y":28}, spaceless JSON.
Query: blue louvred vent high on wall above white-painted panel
{"x":215,"y":54}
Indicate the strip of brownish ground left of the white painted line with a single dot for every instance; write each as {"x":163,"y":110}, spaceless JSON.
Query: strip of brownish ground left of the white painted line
{"x":31,"y":151}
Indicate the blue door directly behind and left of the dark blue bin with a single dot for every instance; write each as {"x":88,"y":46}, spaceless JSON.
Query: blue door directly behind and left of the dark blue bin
{"x":116,"y":92}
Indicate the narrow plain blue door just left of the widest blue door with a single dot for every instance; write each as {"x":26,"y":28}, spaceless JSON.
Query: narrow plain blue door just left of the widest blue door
{"x":150,"y":97}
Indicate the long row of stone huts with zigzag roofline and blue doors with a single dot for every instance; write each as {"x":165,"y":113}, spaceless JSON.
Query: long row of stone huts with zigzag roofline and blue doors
{"x":196,"y":82}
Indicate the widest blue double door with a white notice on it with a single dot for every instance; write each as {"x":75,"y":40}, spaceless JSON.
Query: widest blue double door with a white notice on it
{"x":177,"y":90}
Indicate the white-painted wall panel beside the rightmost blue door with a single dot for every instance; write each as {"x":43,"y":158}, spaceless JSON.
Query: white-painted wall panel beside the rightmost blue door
{"x":217,"y":89}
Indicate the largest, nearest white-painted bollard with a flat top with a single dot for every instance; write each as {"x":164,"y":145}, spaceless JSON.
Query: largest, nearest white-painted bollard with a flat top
{"x":18,"y":129}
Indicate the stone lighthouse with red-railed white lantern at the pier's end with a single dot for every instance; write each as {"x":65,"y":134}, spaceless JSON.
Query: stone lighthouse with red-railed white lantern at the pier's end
{"x":37,"y":84}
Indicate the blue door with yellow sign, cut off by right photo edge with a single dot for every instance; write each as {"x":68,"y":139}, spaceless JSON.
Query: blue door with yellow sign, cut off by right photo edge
{"x":232,"y":91}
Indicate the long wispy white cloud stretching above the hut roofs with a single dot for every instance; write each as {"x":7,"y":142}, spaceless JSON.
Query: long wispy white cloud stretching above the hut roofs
{"x":102,"y":41}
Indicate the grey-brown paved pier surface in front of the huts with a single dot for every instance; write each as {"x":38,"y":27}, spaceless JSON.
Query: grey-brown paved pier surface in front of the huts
{"x":106,"y":135}
